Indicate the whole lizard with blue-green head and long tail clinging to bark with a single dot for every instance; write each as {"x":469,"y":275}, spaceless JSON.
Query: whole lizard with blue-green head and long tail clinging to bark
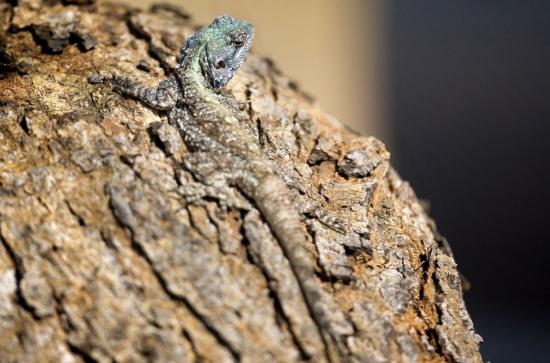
{"x":223,"y":148}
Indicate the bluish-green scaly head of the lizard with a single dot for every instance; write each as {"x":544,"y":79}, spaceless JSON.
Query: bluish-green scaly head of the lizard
{"x":226,"y":42}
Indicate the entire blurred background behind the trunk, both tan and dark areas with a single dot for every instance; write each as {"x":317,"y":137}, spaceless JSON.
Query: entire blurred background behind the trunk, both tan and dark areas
{"x":460,"y":93}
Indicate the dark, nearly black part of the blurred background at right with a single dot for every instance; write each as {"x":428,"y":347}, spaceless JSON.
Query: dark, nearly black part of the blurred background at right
{"x":470,"y":93}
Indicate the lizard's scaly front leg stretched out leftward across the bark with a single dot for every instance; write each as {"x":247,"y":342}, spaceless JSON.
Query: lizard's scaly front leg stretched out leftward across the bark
{"x":163,"y":97}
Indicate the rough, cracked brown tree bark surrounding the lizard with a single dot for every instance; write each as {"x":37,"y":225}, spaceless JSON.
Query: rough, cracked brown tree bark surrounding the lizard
{"x":102,"y":259}
